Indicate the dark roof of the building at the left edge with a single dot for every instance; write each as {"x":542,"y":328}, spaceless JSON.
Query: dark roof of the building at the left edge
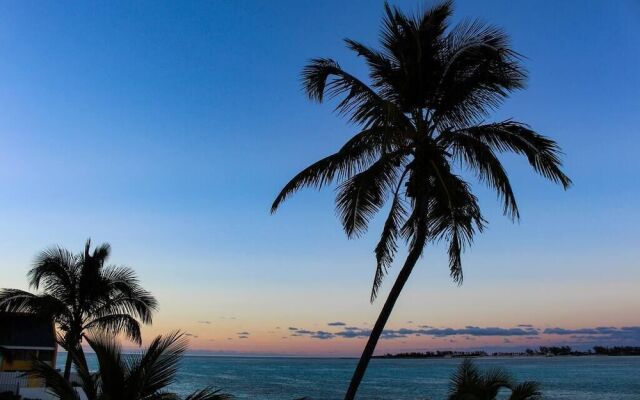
{"x":26,"y":330}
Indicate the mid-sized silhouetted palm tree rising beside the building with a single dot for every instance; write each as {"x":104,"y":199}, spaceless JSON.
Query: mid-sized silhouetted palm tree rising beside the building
{"x":81,"y":293}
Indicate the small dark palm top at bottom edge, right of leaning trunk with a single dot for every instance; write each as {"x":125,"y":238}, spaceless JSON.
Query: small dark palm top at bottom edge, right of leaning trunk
{"x":469,"y":383}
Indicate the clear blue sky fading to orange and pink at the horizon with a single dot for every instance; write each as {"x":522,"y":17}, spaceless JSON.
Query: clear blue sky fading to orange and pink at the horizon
{"x":167,"y":128}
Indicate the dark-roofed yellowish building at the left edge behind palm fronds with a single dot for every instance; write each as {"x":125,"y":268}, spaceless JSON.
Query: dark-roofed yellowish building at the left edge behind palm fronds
{"x":25,"y":338}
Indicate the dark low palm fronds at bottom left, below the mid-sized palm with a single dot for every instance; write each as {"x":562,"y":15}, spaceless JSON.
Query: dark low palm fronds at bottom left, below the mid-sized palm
{"x":143,"y":376}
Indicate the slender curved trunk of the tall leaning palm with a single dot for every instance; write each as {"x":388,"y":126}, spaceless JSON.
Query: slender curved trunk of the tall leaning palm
{"x":410,"y":262}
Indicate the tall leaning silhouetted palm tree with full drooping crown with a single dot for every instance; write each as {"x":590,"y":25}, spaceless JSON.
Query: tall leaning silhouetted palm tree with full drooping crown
{"x":421,"y":123}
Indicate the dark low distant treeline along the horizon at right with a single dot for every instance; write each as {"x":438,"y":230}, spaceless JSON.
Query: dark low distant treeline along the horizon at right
{"x":541,"y":351}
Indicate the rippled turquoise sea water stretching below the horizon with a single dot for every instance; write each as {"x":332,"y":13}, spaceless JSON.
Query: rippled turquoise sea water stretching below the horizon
{"x":581,"y":378}
